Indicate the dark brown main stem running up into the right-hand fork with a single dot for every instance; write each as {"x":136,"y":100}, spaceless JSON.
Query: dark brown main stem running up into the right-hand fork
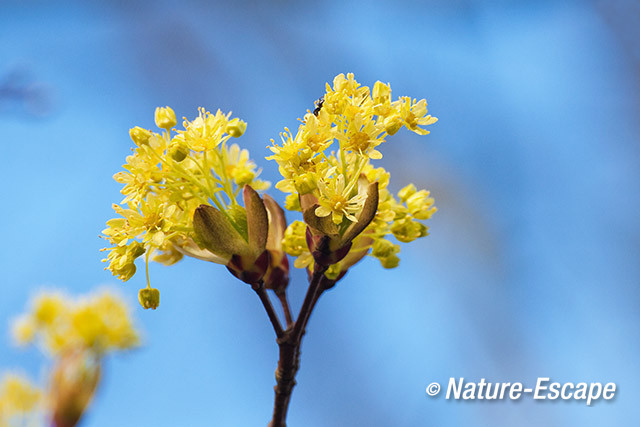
{"x":289,"y":345}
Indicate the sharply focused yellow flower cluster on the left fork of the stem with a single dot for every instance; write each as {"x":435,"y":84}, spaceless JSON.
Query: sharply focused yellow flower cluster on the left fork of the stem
{"x":166,"y":178}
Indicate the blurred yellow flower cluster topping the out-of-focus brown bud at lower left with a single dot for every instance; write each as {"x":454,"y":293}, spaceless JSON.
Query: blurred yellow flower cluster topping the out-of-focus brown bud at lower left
{"x":98,"y":323}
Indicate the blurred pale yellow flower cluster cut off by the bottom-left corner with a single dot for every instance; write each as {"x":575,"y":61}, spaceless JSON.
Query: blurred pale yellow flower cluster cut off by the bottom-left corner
{"x":18,"y":401}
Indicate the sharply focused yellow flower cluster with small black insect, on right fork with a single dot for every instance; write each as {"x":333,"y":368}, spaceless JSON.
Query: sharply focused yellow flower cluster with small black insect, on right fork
{"x":328,"y":161}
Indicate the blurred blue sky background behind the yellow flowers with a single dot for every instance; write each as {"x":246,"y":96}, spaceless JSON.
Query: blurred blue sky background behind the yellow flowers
{"x":531,"y":268}
